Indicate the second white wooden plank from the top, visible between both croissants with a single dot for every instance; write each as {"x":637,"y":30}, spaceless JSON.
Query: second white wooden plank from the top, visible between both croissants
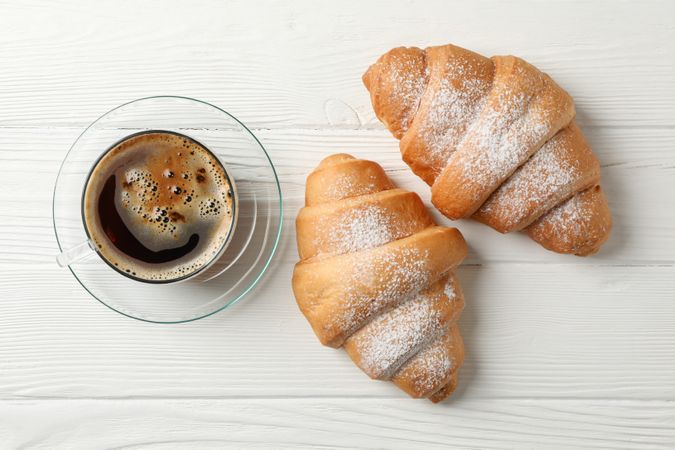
{"x":639,"y":167}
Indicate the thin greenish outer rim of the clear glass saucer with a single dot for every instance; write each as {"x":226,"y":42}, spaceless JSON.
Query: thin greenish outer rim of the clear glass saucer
{"x":277,"y":238}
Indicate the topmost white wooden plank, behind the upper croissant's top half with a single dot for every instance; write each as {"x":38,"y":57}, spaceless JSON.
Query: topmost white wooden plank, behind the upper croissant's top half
{"x":299,"y":63}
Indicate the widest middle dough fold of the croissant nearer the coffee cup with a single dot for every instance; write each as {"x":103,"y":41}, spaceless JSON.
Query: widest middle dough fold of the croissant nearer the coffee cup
{"x":338,"y":294}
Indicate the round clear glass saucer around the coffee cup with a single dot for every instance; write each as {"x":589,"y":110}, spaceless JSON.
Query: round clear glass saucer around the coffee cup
{"x":257,"y":231}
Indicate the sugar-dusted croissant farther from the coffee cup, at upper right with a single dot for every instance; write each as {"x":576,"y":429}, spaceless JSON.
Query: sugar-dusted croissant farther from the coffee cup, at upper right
{"x":496,"y":140}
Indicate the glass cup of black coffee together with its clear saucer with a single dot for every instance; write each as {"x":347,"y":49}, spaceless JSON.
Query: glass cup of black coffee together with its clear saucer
{"x":167,"y":209}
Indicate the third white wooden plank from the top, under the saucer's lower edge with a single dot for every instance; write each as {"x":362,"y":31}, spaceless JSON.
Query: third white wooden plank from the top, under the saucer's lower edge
{"x":531,"y":331}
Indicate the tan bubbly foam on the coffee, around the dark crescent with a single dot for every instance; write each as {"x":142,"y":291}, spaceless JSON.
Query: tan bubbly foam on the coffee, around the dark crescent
{"x":167,"y":188}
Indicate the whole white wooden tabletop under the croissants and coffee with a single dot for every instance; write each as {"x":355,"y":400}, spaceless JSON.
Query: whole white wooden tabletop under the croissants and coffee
{"x":562,"y":351}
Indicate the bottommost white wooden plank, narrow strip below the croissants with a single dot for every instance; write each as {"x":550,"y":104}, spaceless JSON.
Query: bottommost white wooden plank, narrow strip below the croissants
{"x":336,"y":423}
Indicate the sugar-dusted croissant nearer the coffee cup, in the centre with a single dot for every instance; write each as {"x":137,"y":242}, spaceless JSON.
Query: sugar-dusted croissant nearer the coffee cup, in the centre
{"x":376,"y":277}
